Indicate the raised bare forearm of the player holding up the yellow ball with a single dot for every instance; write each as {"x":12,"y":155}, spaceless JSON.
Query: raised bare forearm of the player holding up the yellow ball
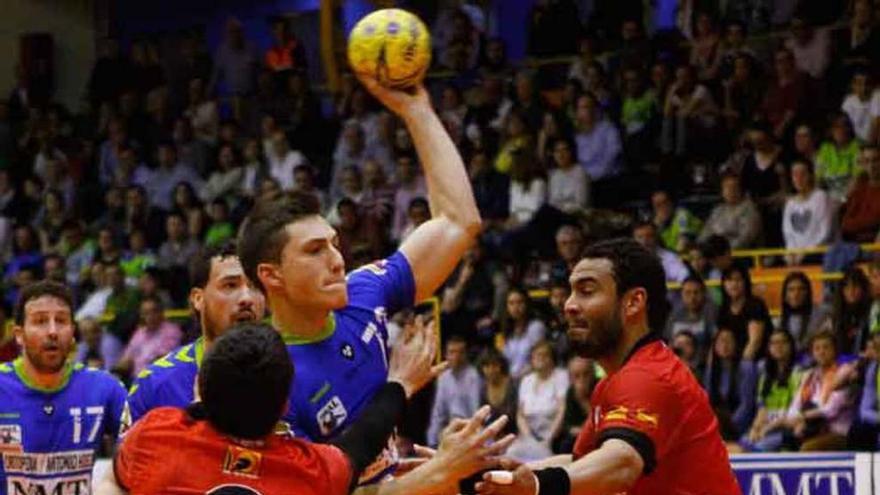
{"x":449,"y":191}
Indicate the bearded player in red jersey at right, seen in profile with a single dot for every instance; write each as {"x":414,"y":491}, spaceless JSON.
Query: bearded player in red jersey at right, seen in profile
{"x":651,"y":429}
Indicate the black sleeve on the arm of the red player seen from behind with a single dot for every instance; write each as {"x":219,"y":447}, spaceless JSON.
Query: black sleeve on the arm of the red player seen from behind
{"x":365,"y":439}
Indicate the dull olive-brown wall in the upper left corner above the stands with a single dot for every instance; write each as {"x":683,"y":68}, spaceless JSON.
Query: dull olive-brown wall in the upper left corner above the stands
{"x":72,"y":26}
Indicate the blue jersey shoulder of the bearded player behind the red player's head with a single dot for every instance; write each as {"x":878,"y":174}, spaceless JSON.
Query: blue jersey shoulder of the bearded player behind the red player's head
{"x":169,"y":381}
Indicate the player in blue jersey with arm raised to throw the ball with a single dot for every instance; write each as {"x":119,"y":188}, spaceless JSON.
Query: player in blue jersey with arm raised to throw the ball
{"x":335,"y":326}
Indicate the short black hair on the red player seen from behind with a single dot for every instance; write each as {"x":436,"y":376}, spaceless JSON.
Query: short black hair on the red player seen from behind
{"x":244,"y":381}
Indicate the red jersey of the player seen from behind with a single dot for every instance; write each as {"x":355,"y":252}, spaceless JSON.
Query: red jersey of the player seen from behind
{"x":170,"y":453}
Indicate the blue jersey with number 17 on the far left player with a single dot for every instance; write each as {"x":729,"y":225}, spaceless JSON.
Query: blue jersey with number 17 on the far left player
{"x":48,"y":438}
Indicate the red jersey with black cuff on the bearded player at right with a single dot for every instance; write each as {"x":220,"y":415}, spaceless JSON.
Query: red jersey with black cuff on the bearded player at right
{"x":655,"y":404}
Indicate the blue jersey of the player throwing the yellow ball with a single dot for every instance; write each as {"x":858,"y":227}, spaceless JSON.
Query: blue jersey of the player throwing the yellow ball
{"x":338,"y":372}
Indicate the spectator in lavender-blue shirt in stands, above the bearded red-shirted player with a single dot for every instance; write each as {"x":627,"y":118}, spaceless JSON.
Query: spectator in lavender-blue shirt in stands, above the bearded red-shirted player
{"x":598,"y":147}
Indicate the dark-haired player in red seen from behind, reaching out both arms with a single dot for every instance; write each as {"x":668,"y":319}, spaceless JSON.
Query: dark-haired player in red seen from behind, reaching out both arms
{"x":225,"y":444}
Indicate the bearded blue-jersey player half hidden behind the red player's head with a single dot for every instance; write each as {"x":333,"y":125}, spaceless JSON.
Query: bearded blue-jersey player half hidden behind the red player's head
{"x":221,"y":296}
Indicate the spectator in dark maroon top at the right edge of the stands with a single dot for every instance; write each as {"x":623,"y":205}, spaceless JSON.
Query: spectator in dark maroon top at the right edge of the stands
{"x":861,"y":217}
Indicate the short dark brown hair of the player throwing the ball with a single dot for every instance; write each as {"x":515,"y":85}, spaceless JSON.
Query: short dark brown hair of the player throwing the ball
{"x":263,"y":234}
